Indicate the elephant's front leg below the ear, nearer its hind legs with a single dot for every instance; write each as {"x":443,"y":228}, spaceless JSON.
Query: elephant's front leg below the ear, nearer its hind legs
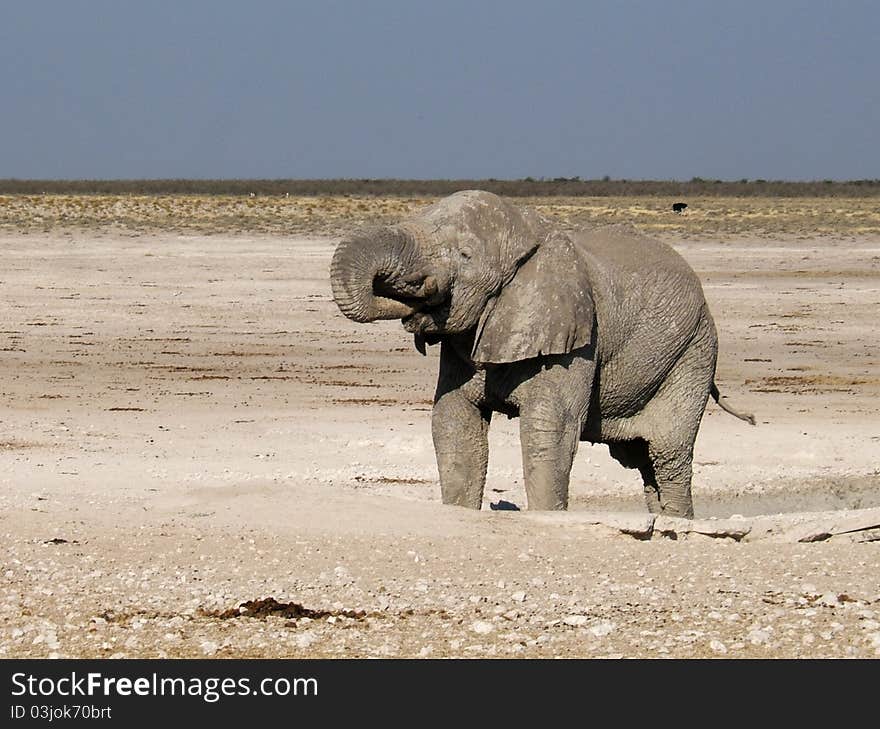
{"x":549,"y":439}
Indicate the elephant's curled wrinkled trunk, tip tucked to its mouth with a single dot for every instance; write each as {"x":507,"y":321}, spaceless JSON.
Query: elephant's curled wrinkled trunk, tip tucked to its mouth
{"x":371,"y":273}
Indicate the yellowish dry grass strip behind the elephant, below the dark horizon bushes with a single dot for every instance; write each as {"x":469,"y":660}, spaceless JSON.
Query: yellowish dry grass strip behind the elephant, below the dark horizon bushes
{"x":795,"y":217}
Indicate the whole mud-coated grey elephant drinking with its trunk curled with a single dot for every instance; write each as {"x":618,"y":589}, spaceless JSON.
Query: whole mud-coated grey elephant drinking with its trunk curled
{"x":602,"y":336}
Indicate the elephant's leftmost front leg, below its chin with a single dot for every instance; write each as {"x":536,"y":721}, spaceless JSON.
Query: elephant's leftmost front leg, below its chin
{"x":460,"y":430}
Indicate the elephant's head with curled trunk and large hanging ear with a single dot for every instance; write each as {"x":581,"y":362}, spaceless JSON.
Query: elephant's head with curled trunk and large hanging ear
{"x":472,"y":261}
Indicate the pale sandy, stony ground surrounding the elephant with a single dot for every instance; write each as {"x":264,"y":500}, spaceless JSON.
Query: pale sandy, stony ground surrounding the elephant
{"x":188,"y":424}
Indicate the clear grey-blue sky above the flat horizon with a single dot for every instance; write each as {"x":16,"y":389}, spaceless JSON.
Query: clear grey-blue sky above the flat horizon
{"x":444,"y":89}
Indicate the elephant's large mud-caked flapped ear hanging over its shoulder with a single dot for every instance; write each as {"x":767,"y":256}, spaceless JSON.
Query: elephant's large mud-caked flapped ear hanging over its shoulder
{"x":547,"y":308}
